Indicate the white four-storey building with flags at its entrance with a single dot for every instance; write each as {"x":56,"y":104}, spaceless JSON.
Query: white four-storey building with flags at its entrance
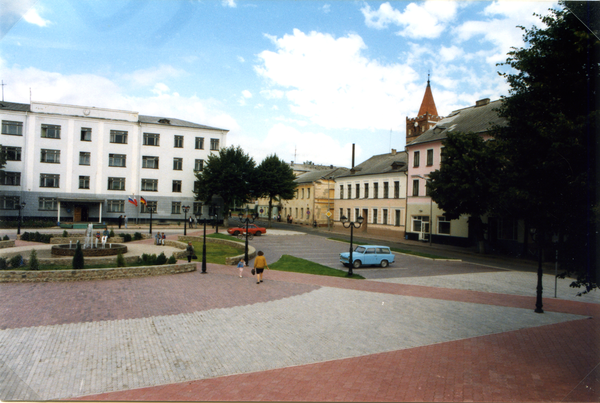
{"x":80,"y":163}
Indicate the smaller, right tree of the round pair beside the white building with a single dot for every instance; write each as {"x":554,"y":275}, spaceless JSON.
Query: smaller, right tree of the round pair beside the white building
{"x":275,"y":180}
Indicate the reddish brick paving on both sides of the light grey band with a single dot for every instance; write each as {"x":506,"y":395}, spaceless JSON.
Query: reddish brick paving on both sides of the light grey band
{"x":550,"y":363}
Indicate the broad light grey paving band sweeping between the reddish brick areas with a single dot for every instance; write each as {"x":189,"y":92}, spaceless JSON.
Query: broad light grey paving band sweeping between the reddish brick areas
{"x":322,"y":325}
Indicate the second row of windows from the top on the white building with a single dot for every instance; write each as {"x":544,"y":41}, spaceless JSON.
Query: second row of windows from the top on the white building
{"x":114,"y":160}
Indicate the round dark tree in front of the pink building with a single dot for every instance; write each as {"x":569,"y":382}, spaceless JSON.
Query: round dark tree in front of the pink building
{"x":467,"y":182}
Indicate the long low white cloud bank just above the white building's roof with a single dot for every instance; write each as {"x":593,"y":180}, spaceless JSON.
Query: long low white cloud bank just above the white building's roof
{"x":97,"y":91}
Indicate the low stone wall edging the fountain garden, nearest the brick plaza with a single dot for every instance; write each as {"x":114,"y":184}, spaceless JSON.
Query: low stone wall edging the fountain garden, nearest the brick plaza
{"x":8,"y":276}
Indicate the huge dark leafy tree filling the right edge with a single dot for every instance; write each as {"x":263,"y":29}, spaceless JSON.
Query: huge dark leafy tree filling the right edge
{"x":550,"y":139}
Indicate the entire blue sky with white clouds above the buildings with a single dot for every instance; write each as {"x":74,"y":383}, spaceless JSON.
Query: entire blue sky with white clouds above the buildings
{"x":301,"y":79}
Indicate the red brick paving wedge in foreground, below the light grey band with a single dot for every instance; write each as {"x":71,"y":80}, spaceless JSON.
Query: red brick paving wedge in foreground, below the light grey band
{"x":550,"y":363}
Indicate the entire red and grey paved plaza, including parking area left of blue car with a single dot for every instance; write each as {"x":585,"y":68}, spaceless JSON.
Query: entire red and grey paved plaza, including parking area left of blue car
{"x":421,"y":330}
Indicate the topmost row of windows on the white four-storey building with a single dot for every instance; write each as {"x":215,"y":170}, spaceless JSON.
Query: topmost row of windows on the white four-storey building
{"x":116,"y":136}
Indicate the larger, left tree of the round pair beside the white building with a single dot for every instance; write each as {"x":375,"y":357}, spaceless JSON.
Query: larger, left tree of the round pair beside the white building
{"x":229,"y":174}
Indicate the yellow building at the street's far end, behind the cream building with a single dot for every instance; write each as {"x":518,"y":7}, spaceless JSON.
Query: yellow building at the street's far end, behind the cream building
{"x":315,"y":197}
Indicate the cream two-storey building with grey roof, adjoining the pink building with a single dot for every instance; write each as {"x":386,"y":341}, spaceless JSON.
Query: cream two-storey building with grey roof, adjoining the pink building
{"x":376,"y":191}
